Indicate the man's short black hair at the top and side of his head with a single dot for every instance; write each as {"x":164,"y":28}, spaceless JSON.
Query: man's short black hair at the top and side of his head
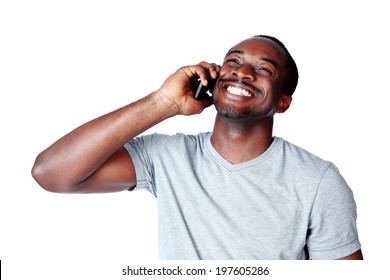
{"x":292,"y":80}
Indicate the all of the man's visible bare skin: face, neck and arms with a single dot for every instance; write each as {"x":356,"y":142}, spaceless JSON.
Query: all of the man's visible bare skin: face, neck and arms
{"x":247,"y":94}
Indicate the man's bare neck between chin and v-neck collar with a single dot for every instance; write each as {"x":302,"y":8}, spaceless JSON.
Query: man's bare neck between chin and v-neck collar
{"x":238,"y":141}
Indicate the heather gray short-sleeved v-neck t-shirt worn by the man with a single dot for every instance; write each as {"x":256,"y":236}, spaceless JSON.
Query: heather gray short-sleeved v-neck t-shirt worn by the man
{"x":284,"y":204}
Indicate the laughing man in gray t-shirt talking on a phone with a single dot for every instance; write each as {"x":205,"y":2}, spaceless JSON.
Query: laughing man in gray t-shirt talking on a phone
{"x":235,"y":193}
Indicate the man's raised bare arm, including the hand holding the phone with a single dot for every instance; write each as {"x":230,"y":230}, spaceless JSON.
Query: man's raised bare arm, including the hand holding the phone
{"x":91,"y":158}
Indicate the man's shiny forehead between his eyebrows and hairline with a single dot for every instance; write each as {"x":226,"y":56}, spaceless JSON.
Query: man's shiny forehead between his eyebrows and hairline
{"x":262,"y":48}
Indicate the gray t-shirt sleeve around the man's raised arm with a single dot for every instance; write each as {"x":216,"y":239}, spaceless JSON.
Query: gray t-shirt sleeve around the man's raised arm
{"x":140,"y":150}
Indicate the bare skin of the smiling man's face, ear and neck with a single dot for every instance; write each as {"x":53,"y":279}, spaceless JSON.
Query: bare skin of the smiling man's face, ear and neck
{"x":247,"y":132}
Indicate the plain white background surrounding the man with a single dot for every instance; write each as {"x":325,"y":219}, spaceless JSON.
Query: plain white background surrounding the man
{"x":63,"y":63}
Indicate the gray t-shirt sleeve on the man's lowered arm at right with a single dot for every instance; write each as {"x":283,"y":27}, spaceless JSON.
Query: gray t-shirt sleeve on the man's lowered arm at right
{"x":332,"y":230}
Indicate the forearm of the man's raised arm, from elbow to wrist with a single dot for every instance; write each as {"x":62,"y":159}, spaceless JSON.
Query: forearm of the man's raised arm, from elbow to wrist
{"x":77,"y":155}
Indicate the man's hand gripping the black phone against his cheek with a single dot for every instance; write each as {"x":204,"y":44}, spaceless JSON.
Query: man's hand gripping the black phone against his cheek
{"x":179,"y":88}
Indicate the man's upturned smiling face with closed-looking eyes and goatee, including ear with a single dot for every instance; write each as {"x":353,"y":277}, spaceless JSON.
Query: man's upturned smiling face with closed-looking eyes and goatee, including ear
{"x":251,"y":79}
